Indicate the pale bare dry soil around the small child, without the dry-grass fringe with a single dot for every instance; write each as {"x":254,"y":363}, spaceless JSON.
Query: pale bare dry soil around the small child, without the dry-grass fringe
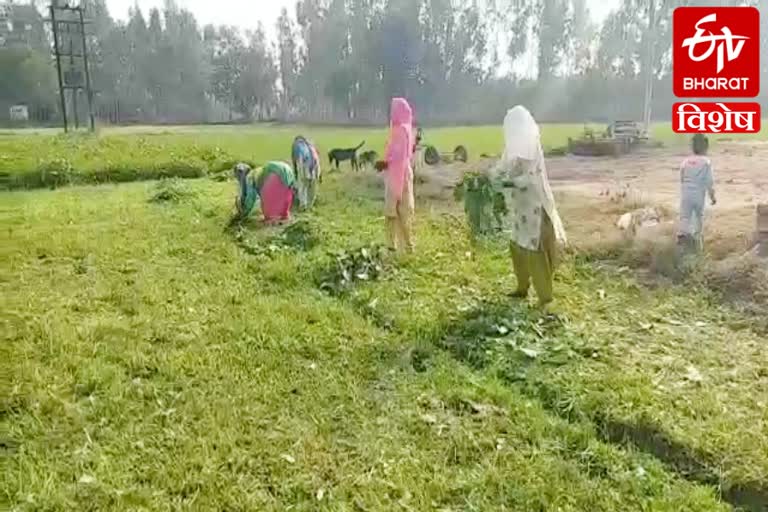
{"x":594,"y":192}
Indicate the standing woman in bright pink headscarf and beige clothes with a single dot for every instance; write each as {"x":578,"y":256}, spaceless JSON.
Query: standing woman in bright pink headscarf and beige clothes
{"x":398,"y":198}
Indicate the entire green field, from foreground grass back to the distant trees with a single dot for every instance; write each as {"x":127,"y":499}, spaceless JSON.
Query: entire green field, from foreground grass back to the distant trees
{"x":158,"y":361}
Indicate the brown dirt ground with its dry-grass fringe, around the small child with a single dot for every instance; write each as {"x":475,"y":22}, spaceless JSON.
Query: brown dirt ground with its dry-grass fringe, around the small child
{"x":593,"y":193}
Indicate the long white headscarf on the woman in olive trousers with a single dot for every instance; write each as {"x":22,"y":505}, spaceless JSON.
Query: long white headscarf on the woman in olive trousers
{"x":522,"y":140}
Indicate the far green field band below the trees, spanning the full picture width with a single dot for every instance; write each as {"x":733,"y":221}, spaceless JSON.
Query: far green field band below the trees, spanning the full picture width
{"x":42,"y":159}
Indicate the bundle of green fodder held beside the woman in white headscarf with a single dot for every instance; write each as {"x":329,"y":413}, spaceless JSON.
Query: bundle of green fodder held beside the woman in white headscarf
{"x":484,"y":206}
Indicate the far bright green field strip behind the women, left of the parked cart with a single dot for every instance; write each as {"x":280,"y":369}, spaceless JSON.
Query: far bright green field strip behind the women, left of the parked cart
{"x":213,"y":147}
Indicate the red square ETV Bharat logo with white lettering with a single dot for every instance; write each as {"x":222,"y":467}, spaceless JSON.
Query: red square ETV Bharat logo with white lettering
{"x":716,"y":52}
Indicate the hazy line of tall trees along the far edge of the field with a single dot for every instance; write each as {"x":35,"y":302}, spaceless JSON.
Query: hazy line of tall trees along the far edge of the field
{"x":340,"y":61}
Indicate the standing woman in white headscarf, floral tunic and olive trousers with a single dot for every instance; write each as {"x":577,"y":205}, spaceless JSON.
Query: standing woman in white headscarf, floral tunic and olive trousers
{"x":531,"y":222}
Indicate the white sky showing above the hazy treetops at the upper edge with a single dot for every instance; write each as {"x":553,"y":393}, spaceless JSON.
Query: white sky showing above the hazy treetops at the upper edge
{"x":247,"y":13}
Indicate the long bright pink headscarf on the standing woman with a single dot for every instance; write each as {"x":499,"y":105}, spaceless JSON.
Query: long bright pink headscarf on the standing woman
{"x":400,"y":146}
